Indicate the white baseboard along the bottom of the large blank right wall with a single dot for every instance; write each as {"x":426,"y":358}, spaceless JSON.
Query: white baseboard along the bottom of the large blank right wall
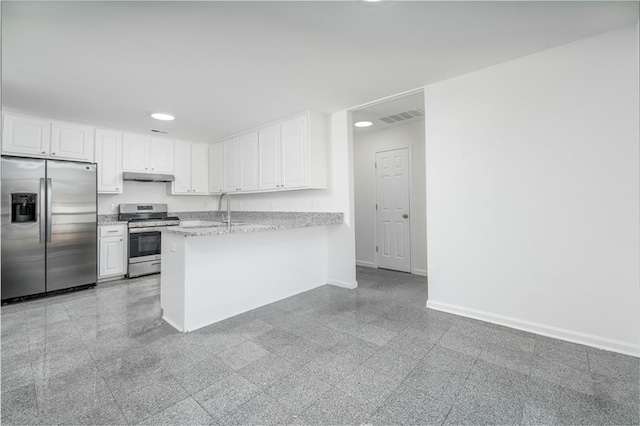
{"x":544,"y":330}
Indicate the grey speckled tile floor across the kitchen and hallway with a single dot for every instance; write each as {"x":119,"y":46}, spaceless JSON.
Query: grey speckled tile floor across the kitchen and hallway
{"x":330,"y":356}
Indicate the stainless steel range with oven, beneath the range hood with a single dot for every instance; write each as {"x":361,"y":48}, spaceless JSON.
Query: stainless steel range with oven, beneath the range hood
{"x":145,"y":221}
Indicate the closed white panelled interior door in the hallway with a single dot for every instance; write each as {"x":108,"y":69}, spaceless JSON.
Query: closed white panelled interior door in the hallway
{"x":393,"y":243}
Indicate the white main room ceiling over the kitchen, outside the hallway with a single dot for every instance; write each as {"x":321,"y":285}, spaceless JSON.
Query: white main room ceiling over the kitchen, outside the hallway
{"x":224,"y":67}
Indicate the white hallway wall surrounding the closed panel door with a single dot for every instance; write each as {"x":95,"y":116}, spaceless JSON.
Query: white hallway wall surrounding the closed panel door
{"x":409,"y":135}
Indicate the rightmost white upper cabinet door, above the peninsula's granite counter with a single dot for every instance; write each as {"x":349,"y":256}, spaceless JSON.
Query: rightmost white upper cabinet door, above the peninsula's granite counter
{"x":295,"y":152}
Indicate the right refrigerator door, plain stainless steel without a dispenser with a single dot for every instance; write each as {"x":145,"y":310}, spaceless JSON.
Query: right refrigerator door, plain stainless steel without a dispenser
{"x":72,"y":225}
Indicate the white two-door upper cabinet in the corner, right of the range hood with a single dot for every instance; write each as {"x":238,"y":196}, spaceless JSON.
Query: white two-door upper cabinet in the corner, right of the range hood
{"x":191,"y":168}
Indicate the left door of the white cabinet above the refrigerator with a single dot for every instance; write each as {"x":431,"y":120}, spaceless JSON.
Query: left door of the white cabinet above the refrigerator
{"x":26,"y":136}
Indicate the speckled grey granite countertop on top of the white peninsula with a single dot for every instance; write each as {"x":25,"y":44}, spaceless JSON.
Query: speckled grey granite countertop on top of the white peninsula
{"x":258,"y":221}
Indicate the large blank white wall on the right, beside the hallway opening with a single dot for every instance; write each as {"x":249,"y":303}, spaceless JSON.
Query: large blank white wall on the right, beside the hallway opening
{"x":533,"y":192}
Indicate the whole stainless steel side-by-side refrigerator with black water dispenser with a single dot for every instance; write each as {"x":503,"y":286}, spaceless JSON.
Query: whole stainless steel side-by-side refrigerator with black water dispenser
{"x":49,"y":226}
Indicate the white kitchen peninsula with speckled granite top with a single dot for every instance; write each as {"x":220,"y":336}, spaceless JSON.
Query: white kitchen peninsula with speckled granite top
{"x":210,"y":273}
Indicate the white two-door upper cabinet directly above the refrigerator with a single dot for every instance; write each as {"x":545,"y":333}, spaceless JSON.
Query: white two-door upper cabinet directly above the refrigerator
{"x":39,"y":137}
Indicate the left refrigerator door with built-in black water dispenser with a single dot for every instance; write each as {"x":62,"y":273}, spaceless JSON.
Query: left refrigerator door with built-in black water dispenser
{"x":23,"y":229}
